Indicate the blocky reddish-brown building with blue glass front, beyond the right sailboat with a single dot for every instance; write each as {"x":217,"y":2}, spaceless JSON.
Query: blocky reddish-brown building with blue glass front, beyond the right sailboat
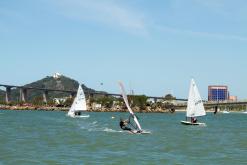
{"x":217,"y":93}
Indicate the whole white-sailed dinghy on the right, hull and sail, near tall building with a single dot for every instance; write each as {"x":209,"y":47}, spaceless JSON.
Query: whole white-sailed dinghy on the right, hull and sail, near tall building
{"x":195,"y":106}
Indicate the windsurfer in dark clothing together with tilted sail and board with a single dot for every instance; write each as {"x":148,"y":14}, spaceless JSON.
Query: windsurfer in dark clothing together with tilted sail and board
{"x":134,"y":126}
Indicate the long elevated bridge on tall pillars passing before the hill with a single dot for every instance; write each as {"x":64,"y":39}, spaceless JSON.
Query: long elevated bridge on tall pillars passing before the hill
{"x":24,"y":89}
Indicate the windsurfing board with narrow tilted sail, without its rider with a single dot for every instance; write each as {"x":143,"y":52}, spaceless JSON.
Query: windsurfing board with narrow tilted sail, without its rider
{"x":136,"y":127}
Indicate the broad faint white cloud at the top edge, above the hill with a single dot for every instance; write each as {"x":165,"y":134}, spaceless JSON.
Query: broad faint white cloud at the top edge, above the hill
{"x":107,"y":12}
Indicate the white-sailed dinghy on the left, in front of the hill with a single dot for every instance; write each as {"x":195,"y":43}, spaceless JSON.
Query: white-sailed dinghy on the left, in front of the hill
{"x":79,"y":104}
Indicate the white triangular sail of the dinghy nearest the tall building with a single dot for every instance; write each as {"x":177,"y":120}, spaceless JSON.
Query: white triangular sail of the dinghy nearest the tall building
{"x":195,"y":104}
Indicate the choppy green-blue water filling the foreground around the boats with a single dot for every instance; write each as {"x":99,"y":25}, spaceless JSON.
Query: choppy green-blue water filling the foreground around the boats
{"x":40,"y":137}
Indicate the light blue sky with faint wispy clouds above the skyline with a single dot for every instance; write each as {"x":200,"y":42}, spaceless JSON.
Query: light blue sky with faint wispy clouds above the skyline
{"x":153,"y":47}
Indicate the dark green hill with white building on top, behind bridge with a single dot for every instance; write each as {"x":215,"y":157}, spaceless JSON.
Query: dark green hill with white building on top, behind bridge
{"x":50,"y":82}
